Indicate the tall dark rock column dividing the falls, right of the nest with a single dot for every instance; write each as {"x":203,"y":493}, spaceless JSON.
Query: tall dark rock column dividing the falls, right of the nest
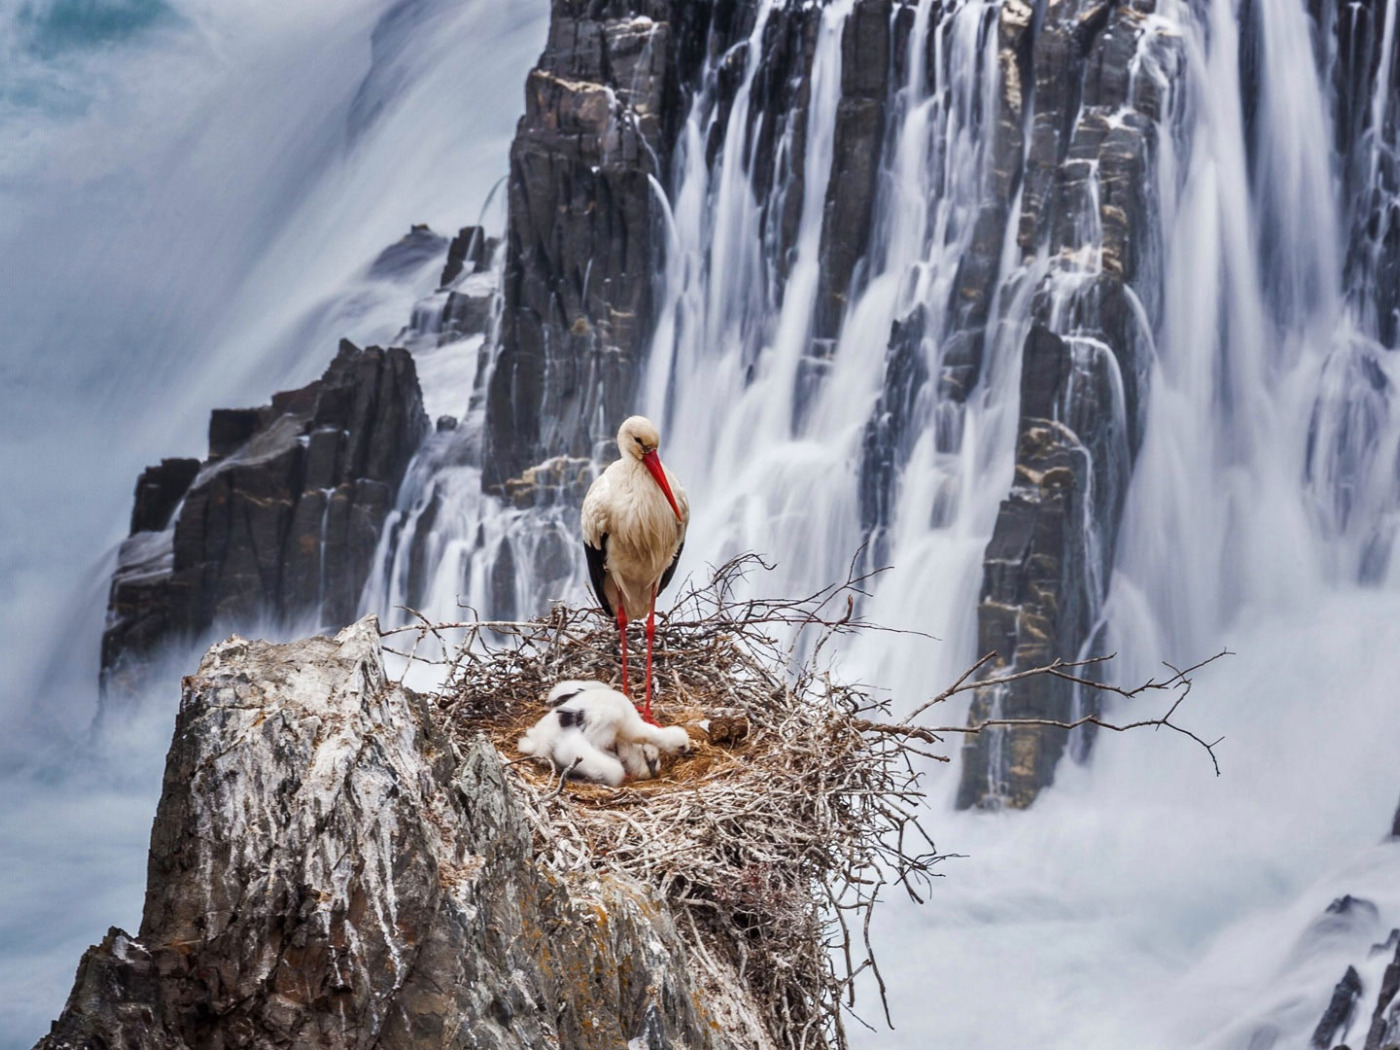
{"x":1090,"y":206}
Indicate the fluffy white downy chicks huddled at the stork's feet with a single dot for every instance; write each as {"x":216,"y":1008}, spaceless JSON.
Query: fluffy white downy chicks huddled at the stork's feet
{"x":597,"y":733}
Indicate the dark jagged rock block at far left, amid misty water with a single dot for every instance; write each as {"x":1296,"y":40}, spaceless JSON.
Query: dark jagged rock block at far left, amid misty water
{"x":279,"y":523}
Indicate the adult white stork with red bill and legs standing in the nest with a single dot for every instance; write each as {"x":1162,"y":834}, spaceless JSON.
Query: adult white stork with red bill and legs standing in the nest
{"x":635,"y":526}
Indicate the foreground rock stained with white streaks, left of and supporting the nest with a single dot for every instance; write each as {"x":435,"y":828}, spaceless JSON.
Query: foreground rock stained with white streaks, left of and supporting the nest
{"x":327,"y":871}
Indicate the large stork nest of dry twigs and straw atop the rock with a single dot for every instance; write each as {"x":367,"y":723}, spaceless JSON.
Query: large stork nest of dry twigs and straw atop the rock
{"x":771,"y":852}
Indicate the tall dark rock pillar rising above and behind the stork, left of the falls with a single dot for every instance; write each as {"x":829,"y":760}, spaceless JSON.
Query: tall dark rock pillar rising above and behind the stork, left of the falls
{"x":601,"y":114}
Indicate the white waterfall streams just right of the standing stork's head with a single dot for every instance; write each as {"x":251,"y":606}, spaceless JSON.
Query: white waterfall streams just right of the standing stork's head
{"x":733,"y":335}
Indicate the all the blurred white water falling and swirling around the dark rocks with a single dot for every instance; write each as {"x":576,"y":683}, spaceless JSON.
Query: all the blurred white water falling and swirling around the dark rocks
{"x":195,"y":248}
